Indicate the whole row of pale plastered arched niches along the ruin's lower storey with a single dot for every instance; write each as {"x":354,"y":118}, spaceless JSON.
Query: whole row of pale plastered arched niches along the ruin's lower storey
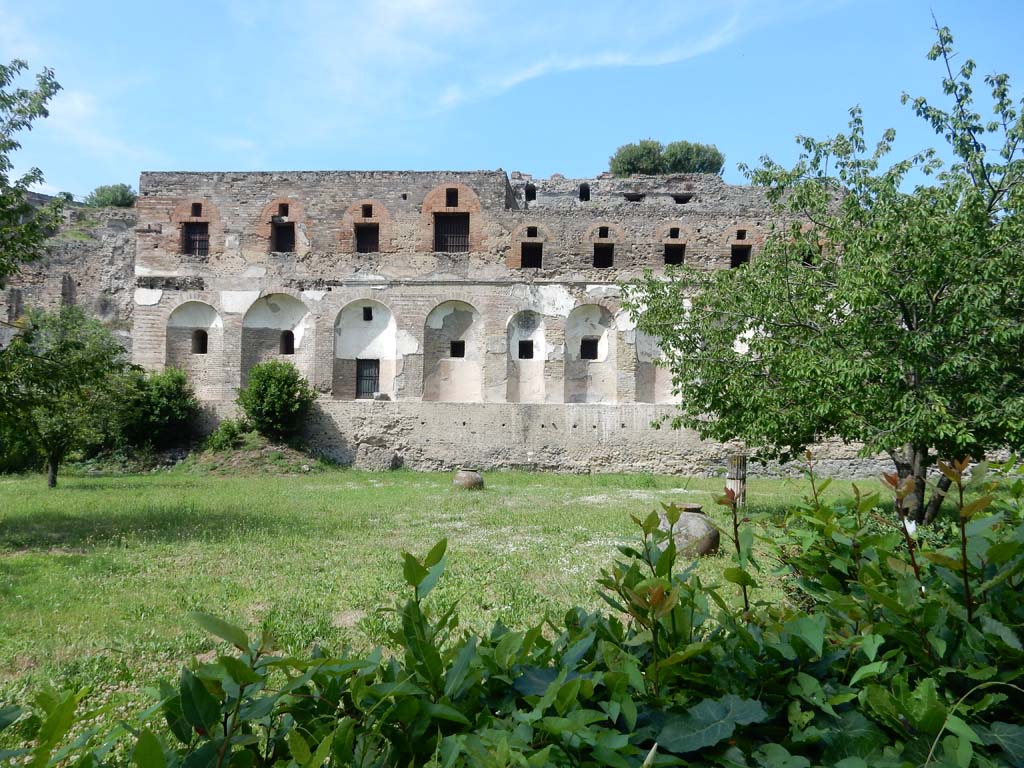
{"x":582,"y":358}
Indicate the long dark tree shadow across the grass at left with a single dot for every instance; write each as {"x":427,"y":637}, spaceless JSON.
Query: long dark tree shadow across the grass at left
{"x":49,"y":530}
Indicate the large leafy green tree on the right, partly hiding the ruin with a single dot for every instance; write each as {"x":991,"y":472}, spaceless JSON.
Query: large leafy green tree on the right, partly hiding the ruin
{"x":878,"y":316}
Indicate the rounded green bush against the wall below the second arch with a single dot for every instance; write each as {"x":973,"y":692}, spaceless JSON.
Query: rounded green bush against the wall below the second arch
{"x":277,"y":400}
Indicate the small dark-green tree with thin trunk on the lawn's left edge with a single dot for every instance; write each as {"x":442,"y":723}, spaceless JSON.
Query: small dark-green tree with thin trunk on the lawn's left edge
{"x":62,"y":375}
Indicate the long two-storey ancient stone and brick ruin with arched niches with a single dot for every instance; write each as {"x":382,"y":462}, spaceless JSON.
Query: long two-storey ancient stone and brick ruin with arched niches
{"x":446,"y":318}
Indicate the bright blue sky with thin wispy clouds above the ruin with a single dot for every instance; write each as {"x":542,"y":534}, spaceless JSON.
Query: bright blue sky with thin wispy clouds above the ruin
{"x":541,"y":88}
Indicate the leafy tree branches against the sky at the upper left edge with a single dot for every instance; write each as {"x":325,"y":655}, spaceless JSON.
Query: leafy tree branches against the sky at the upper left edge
{"x":23,"y":228}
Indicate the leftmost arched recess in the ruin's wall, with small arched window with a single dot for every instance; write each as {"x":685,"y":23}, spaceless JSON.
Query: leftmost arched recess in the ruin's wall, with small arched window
{"x":196,"y":346}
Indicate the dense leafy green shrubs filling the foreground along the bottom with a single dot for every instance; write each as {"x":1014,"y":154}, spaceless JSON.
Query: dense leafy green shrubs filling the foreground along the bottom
{"x":884,"y":656}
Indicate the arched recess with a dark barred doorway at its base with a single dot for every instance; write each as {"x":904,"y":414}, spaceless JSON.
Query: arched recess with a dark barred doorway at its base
{"x":366,"y":352}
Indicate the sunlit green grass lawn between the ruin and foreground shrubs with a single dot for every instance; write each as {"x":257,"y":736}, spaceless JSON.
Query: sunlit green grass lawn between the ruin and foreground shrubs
{"x":97,"y":577}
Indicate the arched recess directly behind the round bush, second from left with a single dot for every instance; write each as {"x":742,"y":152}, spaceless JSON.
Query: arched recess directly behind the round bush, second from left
{"x":278,"y":327}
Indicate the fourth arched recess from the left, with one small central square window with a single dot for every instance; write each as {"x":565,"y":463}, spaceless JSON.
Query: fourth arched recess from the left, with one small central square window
{"x":453,"y":354}
